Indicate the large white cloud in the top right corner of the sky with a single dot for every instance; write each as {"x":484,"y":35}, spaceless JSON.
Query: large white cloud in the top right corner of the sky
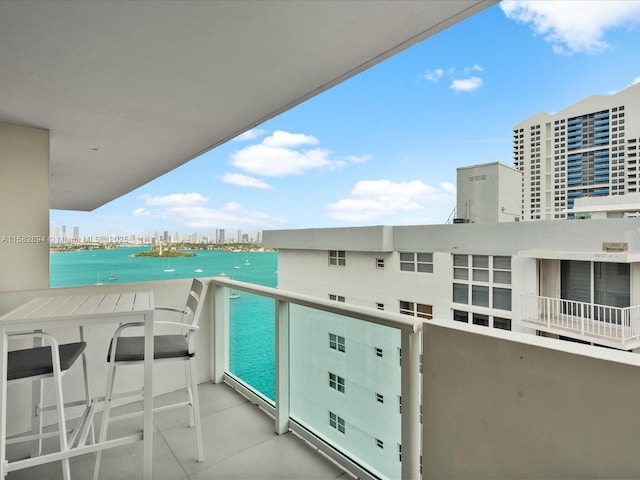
{"x":573,"y":26}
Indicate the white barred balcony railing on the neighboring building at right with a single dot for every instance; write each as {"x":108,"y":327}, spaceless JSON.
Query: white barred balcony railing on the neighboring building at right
{"x":601,"y":324}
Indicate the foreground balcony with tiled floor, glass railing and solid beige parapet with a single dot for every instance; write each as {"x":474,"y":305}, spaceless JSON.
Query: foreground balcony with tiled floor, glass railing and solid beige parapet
{"x":458,"y":372}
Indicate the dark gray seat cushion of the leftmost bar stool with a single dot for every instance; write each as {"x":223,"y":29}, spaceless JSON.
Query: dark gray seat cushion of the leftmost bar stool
{"x":36,"y":361}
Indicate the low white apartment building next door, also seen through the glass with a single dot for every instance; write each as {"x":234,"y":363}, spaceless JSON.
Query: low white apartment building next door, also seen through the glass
{"x":572,"y":280}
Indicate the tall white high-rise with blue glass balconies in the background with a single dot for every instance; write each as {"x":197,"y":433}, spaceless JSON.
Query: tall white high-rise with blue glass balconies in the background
{"x":588,"y":149}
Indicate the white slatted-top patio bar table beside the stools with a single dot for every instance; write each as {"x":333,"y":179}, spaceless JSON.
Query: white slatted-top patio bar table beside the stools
{"x":55,"y":311}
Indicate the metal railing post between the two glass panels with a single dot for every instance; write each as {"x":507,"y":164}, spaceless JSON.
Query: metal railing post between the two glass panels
{"x":282,"y":367}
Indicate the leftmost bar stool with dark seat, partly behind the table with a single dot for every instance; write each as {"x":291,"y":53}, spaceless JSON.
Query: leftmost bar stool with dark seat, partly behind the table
{"x":31,"y":364}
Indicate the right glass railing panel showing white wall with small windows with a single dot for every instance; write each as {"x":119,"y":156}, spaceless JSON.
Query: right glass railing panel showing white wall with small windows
{"x":345,"y":385}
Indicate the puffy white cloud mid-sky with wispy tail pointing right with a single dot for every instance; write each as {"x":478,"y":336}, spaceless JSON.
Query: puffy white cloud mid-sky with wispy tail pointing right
{"x":284,"y":153}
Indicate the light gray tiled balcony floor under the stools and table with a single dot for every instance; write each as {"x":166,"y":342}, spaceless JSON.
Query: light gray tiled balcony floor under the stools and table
{"x":239,"y":443}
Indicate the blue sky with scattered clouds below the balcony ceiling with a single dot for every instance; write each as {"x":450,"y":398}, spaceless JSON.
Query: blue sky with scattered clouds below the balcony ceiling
{"x":383,"y":147}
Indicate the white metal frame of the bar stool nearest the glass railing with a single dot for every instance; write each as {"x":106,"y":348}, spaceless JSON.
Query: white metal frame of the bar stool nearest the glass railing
{"x":188,"y":325}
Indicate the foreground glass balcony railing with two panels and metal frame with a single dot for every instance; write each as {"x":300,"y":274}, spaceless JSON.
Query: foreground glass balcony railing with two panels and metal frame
{"x":345,"y":378}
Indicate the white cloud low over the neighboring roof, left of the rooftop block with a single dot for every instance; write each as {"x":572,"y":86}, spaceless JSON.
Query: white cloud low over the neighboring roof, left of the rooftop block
{"x":370,"y":200}
